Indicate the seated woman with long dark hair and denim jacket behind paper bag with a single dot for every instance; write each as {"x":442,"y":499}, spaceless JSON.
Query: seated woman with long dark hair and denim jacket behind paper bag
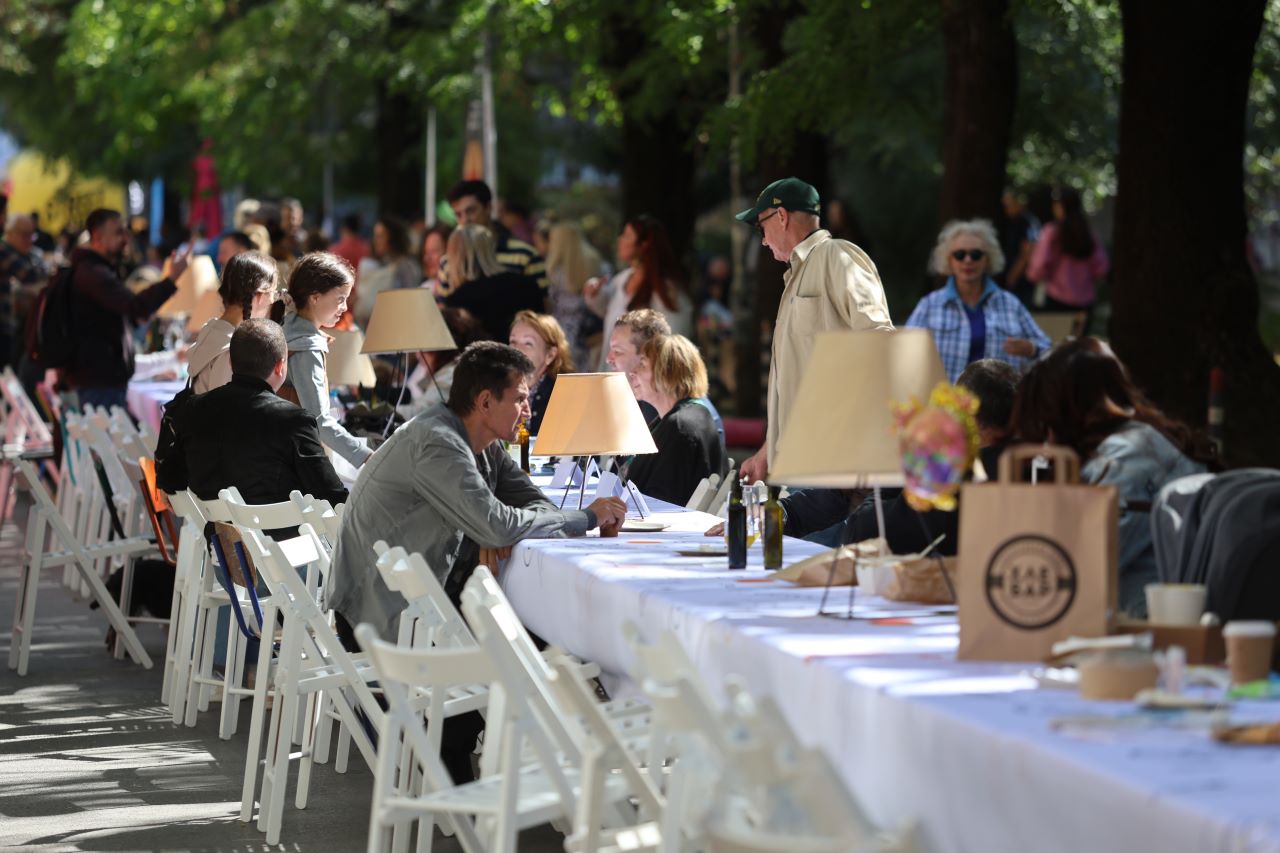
{"x":1081,"y":396}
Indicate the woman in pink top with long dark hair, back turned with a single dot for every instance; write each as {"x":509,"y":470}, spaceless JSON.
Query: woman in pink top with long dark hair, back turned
{"x":1069,"y":258}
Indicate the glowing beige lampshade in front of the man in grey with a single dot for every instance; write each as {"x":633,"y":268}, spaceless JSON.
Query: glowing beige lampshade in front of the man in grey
{"x":593,"y":413}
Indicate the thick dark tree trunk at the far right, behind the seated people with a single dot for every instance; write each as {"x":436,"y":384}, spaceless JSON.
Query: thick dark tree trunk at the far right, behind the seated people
{"x":1185,"y":299}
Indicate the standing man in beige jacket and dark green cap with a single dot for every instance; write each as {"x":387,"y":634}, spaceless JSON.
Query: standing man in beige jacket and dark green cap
{"x":831,"y":285}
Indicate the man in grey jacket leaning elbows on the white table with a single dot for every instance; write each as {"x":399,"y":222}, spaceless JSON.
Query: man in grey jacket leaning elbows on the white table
{"x":445,"y":487}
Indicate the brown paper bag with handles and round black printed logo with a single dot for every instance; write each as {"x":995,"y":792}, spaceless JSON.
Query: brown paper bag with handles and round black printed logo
{"x":1037,"y":563}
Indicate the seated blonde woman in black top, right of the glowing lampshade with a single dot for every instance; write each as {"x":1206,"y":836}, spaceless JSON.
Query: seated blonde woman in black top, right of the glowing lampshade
{"x":671,"y":377}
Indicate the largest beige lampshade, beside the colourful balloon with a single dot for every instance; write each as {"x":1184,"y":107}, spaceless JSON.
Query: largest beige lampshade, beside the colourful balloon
{"x":840,"y":432}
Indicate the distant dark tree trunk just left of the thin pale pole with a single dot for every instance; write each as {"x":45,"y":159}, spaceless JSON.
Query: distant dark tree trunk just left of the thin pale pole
{"x":399,"y":139}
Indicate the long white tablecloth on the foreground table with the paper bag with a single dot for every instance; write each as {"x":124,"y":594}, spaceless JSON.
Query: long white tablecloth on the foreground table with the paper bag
{"x":966,"y":749}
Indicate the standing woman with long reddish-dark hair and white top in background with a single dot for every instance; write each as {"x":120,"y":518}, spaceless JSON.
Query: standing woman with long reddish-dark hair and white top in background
{"x":652,"y":280}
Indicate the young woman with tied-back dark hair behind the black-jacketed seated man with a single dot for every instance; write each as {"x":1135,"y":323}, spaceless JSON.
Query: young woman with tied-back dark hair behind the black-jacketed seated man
{"x":248,"y":290}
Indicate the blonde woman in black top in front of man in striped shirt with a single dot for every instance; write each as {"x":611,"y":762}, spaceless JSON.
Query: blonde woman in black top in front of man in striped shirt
{"x":484,"y":288}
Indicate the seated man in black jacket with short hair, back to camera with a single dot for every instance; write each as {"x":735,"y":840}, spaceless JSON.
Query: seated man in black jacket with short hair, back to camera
{"x":244,"y":436}
